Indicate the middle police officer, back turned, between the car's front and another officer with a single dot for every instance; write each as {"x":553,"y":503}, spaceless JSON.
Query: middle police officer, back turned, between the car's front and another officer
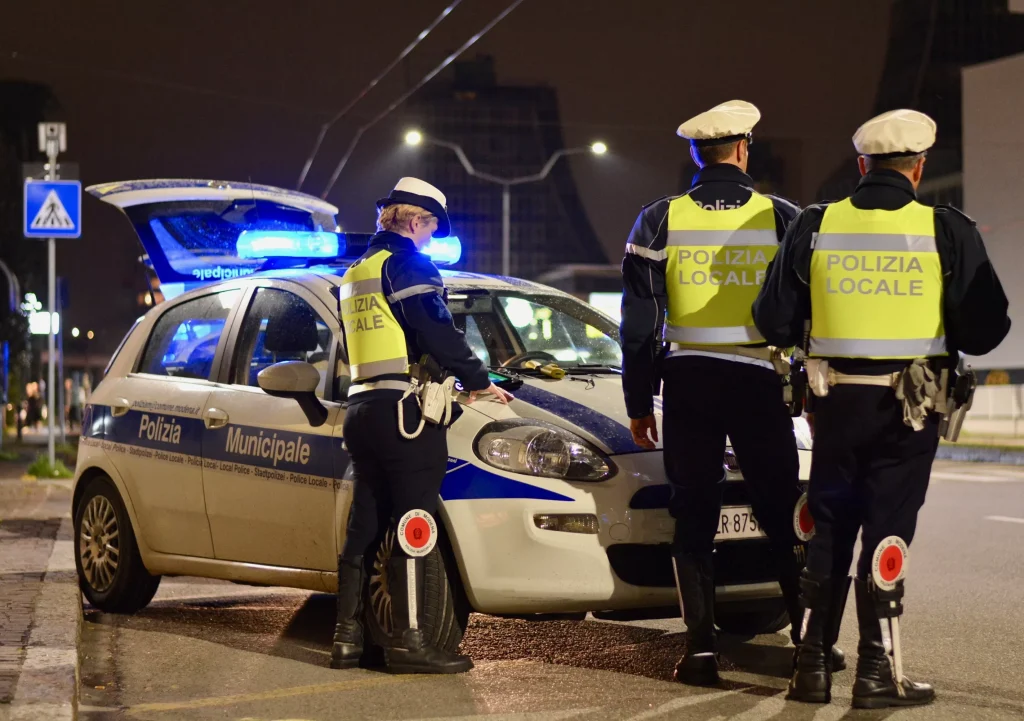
{"x":695,"y":264}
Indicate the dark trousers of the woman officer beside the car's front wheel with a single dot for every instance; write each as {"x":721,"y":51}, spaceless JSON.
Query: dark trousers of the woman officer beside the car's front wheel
{"x":393,"y":475}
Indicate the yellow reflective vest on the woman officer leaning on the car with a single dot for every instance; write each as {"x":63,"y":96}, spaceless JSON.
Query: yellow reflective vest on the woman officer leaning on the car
{"x":375,"y":341}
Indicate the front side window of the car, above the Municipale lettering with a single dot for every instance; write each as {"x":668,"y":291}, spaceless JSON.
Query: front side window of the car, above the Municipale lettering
{"x":281,"y":326}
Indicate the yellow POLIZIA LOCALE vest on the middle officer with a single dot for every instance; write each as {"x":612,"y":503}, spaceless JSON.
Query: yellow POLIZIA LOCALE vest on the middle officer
{"x":717,"y":262}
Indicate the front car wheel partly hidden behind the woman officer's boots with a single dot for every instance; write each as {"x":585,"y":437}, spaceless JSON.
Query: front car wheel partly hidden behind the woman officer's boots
{"x":446,"y":613}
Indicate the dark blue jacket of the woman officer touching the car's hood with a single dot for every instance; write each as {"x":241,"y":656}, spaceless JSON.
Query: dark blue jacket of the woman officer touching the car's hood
{"x":416,"y":295}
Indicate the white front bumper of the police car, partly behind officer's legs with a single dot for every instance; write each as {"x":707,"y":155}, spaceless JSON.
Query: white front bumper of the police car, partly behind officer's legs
{"x":510,"y":566}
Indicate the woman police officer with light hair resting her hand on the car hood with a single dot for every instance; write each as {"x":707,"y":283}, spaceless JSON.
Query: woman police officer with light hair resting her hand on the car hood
{"x":394,"y":312}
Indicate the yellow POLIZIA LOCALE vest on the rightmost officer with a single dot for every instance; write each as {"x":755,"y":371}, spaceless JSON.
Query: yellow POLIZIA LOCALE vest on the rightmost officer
{"x":877,"y":284}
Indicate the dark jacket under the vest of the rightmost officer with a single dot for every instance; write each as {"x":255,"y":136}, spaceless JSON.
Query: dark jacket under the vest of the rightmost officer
{"x":974,"y":305}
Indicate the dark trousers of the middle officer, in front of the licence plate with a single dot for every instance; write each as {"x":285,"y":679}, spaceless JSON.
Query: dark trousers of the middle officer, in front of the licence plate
{"x":706,"y":400}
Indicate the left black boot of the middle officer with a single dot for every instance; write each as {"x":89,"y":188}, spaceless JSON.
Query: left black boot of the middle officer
{"x":696,"y":583}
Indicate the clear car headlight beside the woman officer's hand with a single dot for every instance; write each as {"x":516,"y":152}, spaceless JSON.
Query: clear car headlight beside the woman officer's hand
{"x":536,"y":448}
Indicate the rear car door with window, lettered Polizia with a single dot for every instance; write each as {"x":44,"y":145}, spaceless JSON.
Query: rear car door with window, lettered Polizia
{"x":155,"y":426}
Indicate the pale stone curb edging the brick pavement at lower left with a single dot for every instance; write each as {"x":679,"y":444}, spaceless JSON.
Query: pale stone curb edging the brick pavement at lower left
{"x":48,"y":689}
